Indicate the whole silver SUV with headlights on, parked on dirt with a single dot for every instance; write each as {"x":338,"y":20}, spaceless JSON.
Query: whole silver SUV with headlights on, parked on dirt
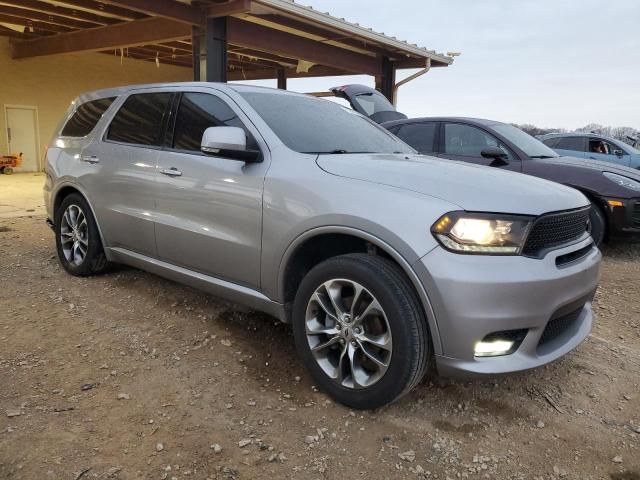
{"x":380,"y":258}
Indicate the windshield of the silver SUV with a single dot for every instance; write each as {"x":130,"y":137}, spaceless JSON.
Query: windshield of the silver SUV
{"x":311,"y":125}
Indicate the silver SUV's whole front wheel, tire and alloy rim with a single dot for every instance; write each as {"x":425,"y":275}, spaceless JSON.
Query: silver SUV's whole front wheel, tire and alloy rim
{"x":359,"y":328}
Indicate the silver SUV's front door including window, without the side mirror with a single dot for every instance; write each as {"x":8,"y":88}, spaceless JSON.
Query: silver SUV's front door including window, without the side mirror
{"x":209,"y":208}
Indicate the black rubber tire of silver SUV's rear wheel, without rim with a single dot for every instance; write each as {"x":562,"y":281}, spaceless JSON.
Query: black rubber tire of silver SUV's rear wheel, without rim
{"x":94,"y":262}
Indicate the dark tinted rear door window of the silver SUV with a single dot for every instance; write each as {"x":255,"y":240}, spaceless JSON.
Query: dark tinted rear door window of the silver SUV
{"x":140,"y":120}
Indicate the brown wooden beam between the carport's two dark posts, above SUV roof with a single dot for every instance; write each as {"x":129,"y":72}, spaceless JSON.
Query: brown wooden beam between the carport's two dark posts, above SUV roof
{"x":251,"y":35}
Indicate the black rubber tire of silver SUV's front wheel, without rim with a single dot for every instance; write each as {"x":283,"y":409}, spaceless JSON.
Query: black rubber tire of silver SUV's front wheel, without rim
{"x":407,"y":323}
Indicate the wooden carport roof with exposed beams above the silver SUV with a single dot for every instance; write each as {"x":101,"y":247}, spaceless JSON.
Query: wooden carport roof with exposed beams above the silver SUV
{"x":264,"y":36}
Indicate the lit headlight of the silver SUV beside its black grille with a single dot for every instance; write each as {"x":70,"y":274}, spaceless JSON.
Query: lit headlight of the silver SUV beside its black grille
{"x":482,"y":233}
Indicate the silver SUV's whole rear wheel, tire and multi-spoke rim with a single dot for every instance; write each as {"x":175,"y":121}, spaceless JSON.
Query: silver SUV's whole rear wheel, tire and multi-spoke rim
{"x":77,"y":239}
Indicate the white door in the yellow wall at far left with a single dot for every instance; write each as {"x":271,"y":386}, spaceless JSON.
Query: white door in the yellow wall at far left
{"x":22,"y":136}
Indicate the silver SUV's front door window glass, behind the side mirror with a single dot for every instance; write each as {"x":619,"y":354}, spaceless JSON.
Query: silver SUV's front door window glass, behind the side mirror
{"x":199,"y":111}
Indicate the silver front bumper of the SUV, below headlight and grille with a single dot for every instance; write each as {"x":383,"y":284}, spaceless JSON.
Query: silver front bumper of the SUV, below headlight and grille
{"x":474,"y":296}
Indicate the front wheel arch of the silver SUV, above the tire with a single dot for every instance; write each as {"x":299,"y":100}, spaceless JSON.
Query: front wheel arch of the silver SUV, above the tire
{"x":289,"y":275}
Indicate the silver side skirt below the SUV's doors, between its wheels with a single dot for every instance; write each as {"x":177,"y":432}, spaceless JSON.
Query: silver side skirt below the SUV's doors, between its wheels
{"x":219,"y":288}
